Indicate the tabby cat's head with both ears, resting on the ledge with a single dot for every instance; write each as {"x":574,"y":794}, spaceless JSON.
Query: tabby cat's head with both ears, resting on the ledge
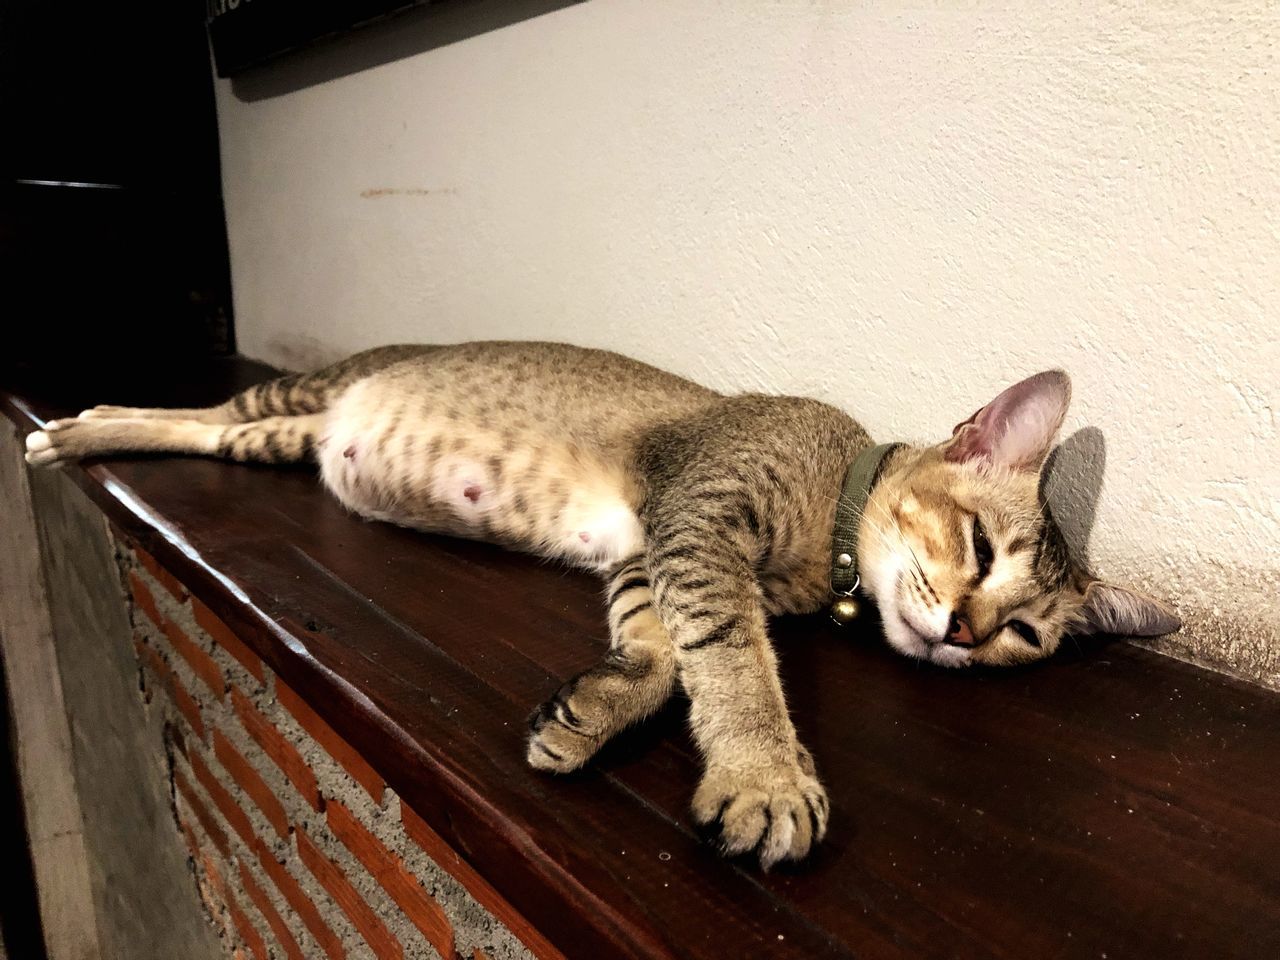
{"x":964,"y":561}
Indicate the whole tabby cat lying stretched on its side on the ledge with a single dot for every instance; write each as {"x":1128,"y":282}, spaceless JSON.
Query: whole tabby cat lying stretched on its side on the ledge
{"x":706,"y":514}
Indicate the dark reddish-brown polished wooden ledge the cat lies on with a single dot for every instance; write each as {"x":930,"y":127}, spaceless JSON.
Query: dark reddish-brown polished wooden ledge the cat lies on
{"x":1114,"y":803}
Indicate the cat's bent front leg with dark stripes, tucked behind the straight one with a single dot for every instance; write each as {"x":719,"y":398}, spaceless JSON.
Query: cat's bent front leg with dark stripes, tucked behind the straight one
{"x":633,"y":682}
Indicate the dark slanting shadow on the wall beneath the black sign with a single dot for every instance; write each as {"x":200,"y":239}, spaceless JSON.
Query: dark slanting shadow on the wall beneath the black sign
{"x":406,"y":35}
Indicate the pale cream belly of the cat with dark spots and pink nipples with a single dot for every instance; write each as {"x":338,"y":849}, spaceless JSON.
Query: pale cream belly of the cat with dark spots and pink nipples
{"x":500,"y":486}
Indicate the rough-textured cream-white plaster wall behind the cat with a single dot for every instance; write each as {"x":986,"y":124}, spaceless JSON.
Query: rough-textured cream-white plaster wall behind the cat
{"x":898,"y":208}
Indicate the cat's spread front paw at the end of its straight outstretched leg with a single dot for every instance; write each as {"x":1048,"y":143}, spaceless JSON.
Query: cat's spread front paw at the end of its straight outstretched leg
{"x":779,"y":812}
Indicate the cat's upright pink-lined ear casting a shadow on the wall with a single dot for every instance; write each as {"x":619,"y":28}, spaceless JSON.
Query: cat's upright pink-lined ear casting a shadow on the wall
{"x":1018,"y":428}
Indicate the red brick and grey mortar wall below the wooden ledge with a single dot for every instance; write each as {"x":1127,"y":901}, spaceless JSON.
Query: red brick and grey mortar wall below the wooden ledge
{"x":299,"y":849}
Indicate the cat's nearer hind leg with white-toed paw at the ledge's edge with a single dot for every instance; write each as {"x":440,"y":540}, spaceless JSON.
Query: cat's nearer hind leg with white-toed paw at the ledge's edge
{"x":272,"y":441}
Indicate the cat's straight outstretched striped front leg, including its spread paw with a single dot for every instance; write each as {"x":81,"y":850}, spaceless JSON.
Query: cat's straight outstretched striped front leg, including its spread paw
{"x":760,"y":792}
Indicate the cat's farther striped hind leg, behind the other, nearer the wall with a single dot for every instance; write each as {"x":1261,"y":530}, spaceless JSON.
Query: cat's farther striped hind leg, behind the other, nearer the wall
{"x":295,"y":395}
